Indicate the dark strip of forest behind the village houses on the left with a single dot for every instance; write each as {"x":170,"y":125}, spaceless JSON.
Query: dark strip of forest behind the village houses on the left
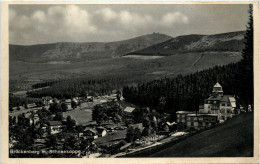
{"x":78,"y":87}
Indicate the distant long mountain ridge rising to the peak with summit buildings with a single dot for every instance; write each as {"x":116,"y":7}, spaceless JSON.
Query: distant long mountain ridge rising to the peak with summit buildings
{"x":82,"y":51}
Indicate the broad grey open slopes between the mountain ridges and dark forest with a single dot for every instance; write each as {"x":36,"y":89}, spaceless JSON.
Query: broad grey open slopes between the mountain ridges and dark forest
{"x":23,"y":75}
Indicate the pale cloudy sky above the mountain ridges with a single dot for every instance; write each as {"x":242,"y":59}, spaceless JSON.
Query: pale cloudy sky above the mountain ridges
{"x":40,"y":24}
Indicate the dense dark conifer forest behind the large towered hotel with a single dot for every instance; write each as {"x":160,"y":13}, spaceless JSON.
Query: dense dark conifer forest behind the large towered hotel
{"x":182,"y":92}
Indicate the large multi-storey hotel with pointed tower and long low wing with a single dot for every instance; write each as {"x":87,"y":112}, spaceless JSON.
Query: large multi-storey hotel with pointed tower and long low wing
{"x":217,"y":108}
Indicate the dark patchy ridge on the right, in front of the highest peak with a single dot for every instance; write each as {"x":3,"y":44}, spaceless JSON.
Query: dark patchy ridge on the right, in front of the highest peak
{"x":226,"y":42}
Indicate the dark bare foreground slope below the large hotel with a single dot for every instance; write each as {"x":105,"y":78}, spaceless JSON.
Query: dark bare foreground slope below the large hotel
{"x":234,"y":138}
